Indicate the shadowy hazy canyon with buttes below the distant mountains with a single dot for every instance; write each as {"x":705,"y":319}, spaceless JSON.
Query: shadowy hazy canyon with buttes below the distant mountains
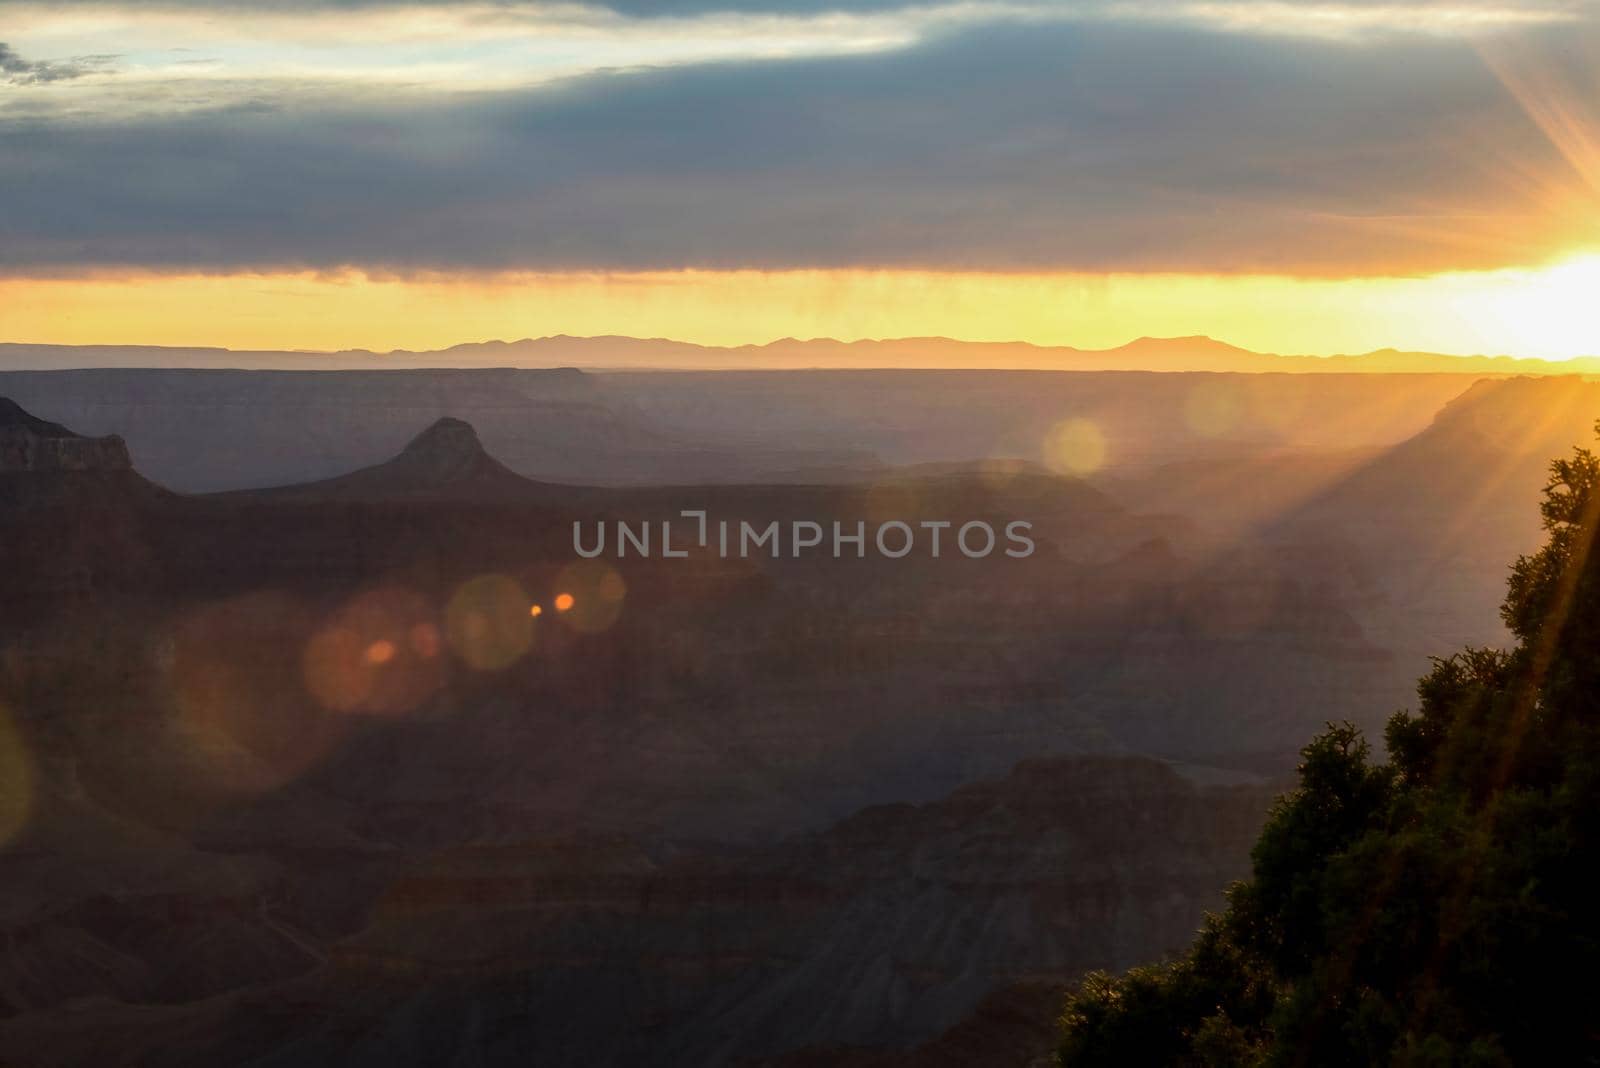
{"x":298,"y":776}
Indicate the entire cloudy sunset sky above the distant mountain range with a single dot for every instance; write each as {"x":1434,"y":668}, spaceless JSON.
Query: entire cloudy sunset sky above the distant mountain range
{"x":1287,"y":175}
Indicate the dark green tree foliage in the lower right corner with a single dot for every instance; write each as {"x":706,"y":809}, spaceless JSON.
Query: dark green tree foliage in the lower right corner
{"x":1438,"y":909}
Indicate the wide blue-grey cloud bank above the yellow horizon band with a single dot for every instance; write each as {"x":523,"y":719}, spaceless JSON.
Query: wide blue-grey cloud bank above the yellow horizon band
{"x":1042,"y":146}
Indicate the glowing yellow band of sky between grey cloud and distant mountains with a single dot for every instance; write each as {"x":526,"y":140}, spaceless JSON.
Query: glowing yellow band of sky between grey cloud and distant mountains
{"x":1527,"y":313}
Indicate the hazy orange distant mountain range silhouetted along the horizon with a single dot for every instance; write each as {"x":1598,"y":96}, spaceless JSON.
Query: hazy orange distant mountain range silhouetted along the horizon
{"x":610,"y":353}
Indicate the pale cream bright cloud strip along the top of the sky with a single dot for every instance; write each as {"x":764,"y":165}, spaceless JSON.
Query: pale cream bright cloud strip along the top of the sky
{"x":286,"y":50}
